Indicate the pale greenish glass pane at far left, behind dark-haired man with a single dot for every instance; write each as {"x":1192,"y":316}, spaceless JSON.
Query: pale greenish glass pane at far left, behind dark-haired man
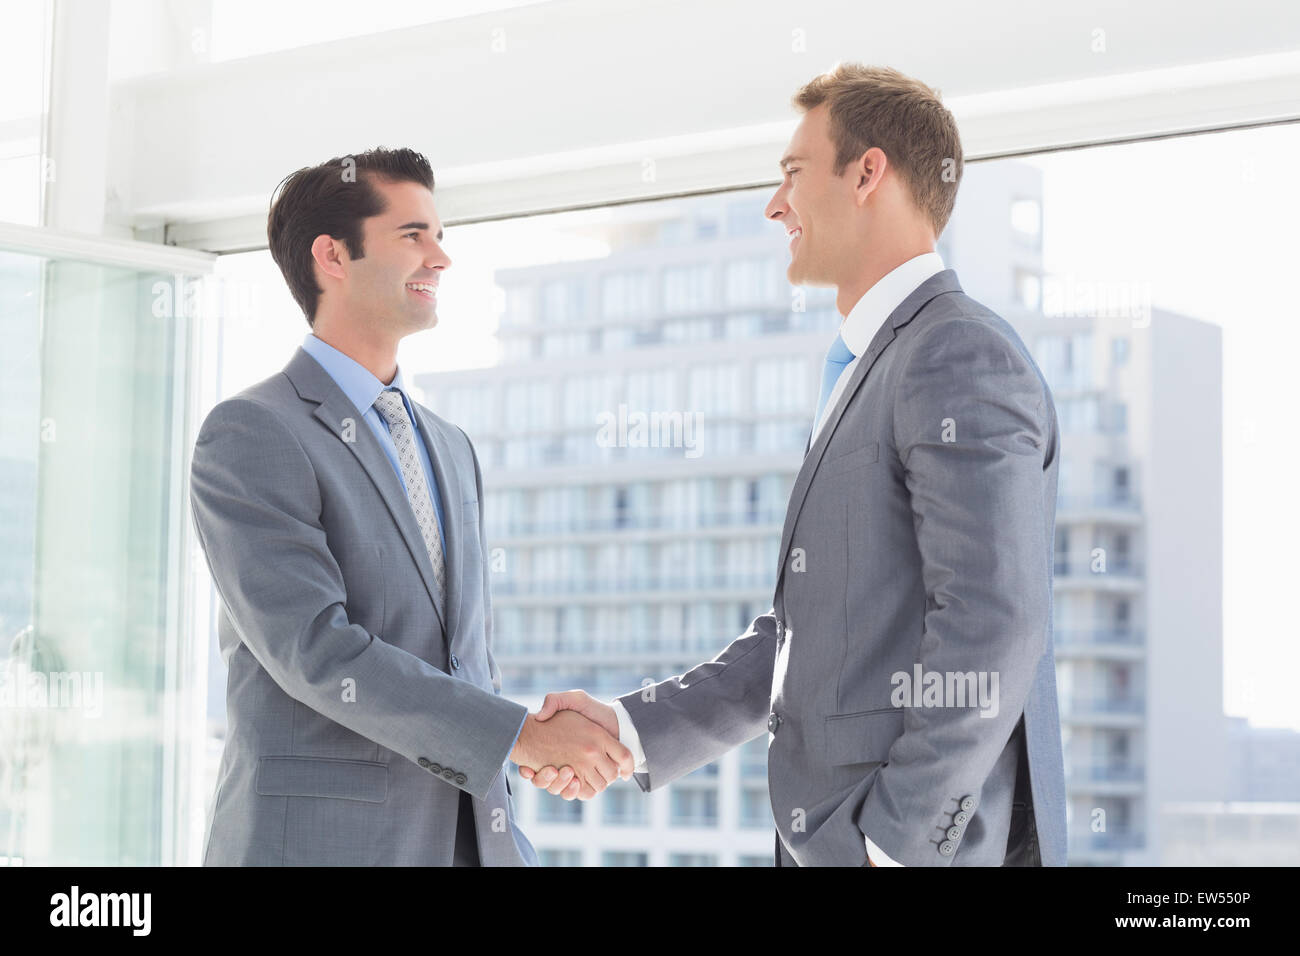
{"x":97,"y":764}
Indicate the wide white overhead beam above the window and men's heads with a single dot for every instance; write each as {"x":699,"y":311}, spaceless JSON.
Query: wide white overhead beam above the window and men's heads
{"x":566,"y":102}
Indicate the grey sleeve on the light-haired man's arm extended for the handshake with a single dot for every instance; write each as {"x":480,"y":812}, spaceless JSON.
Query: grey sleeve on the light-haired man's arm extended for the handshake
{"x":688,"y":721}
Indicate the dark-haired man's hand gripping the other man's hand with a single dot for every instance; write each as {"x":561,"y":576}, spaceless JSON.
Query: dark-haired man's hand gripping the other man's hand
{"x":592,"y":756}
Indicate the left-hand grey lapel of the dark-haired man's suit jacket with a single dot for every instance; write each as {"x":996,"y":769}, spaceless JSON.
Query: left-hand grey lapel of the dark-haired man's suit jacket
{"x":335,"y":410}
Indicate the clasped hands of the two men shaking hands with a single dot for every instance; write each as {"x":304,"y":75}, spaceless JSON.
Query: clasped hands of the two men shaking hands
{"x":571,"y":747}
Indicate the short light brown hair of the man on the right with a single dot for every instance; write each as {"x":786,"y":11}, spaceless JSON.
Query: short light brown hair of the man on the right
{"x":879,"y":106}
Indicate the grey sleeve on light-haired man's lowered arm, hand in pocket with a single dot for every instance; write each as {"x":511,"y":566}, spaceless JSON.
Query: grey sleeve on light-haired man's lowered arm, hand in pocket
{"x":973,"y":430}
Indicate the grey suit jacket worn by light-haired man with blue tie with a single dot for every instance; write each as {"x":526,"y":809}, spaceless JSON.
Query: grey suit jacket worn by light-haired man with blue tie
{"x":920,"y":531}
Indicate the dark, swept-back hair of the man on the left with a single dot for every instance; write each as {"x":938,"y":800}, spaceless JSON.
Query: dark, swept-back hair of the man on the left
{"x":332,"y":200}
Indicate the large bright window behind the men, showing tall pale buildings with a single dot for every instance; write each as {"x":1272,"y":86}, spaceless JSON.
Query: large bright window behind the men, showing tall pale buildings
{"x":632,"y":553}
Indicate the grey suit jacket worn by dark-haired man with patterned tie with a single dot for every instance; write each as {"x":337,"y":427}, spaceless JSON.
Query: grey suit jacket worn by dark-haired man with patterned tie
{"x":358,"y":706}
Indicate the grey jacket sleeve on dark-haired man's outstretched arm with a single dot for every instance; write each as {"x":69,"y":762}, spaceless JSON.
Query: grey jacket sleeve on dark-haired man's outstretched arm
{"x":257,"y":509}
